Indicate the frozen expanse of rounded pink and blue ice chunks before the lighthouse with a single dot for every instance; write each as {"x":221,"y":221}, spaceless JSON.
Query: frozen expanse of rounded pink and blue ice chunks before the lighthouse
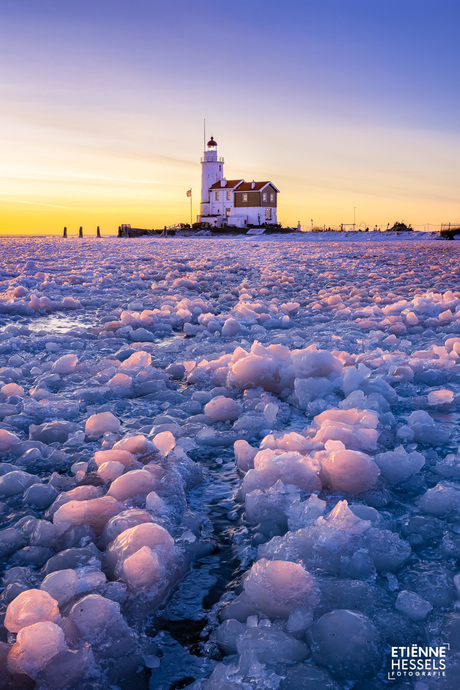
{"x":228,"y":463}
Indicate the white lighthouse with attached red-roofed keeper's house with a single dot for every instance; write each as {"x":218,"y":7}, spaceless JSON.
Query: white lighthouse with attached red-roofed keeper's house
{"x":233,"y":202}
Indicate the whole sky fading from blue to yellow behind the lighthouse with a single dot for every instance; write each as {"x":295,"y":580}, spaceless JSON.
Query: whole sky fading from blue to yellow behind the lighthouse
{"x":350,"y":107}
